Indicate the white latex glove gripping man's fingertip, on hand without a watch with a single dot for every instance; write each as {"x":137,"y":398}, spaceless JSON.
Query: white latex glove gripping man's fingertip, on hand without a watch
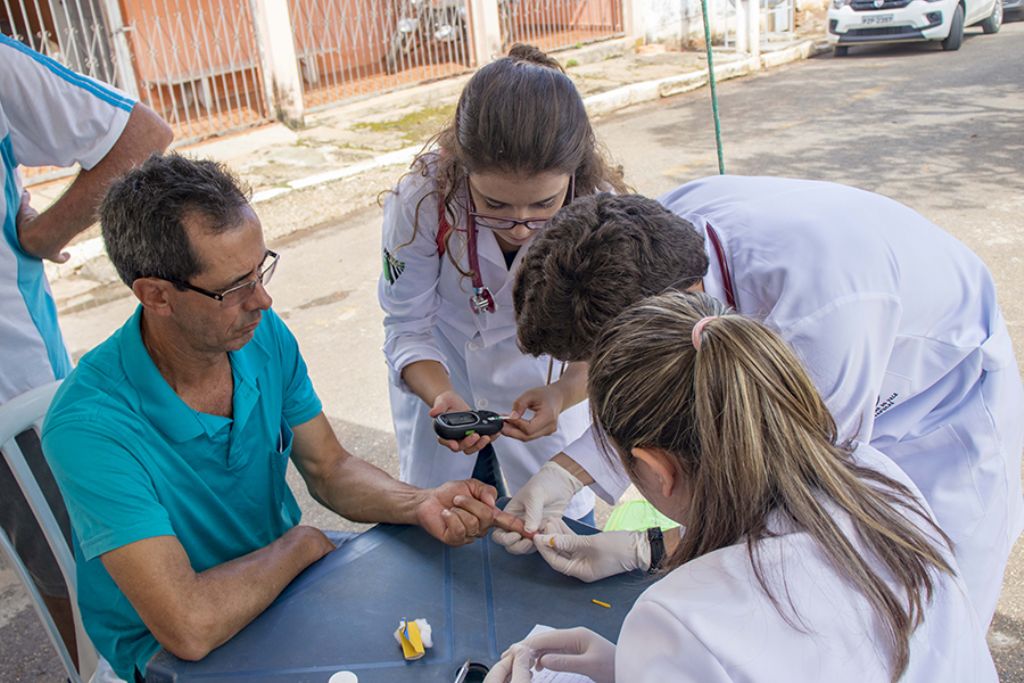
{"x":546,"y":496}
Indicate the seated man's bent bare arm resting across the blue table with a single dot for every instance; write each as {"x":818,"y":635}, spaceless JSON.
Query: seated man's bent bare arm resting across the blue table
{"x":192,"y":614}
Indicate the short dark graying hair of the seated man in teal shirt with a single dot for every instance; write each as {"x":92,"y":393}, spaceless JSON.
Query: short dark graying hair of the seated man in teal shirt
{"x":143,"y":216}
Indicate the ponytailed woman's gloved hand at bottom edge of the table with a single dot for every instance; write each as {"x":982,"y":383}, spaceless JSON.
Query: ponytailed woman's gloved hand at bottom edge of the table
{"x":578,"y":651}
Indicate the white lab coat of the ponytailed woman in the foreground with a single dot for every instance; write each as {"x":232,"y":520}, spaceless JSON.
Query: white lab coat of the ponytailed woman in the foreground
{"x":711,"y":622}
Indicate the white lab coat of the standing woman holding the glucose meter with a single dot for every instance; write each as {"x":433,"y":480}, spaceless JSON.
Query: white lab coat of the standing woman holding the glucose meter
{"x":429,"y":317}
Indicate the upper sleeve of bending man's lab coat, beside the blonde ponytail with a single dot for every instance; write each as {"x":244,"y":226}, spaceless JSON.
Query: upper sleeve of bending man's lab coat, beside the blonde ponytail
{"x":846,"y":347}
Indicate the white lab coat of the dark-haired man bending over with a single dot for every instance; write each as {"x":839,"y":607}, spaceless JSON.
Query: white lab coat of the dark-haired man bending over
{"x":899,"y":326}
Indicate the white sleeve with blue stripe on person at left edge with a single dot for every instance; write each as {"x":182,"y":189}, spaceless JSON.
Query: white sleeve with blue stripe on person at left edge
{"x":58,"y":117}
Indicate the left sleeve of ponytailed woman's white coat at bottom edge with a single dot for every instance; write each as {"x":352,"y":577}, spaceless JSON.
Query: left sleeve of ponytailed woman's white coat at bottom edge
{"x":655,"y":647}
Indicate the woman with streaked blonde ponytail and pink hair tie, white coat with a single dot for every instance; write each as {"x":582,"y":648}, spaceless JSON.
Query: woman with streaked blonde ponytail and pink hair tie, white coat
{"x":803,"y":560}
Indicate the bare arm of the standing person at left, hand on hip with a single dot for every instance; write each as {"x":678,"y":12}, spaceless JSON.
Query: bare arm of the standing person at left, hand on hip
{"x":46,"y":235}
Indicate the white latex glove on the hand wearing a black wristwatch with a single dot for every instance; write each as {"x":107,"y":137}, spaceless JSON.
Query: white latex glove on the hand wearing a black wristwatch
{"x":592,"y":558}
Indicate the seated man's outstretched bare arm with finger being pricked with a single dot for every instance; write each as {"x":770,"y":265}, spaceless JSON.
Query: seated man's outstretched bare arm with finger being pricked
{"x":457,"y":513}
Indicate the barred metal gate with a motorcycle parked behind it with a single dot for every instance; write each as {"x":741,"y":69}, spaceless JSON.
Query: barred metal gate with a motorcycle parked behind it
{"x":349,"y":49}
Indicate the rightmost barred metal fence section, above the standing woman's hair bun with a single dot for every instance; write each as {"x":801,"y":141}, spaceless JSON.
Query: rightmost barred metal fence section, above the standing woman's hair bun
{"x":553,"y":25}
